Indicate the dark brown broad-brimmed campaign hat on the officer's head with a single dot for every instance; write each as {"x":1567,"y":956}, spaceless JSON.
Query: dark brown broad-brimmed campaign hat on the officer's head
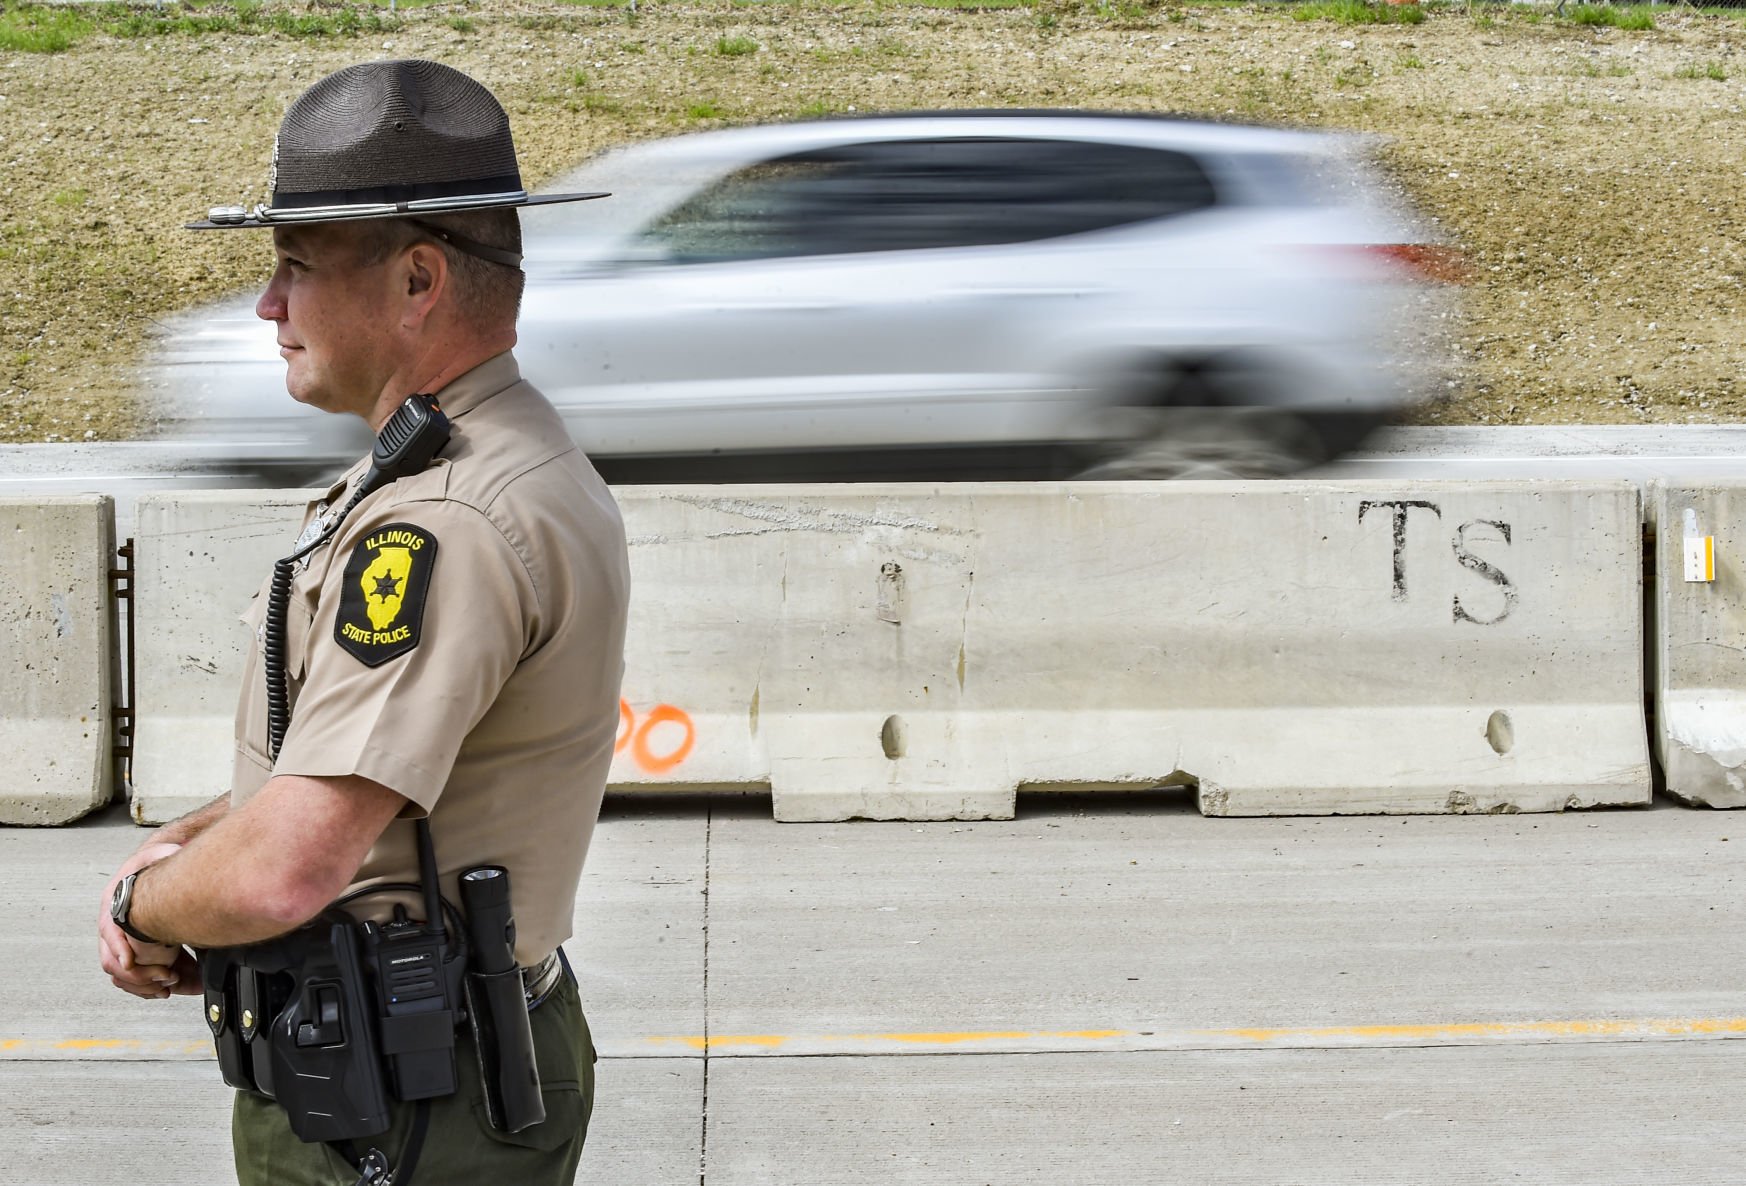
{"x":388,"y":141}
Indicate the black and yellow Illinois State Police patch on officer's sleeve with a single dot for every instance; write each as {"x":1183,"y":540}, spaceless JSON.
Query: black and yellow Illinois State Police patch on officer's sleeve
{"x":382,"y":605}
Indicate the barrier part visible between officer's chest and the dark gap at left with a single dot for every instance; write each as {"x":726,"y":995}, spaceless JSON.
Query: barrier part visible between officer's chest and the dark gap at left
{"x":200,"y":556}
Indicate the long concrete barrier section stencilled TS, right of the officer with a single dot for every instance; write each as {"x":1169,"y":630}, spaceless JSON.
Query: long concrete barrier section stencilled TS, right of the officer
{"x":1293,"y":649}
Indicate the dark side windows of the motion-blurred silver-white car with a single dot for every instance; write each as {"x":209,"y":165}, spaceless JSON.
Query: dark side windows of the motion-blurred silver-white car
{"x":911,"y":195}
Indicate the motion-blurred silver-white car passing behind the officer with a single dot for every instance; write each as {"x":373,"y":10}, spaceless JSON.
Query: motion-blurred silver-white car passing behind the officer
{"x":986,"y":294}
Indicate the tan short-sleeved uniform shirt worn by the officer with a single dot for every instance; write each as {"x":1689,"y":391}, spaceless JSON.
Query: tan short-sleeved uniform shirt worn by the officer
{"x":500,"y":717}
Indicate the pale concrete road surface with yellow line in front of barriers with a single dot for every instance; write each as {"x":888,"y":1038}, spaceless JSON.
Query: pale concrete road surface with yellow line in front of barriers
{"x":1106,"y":991}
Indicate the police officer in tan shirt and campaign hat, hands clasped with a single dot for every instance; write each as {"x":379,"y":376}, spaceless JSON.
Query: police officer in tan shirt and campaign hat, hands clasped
{"x":451,"y":652}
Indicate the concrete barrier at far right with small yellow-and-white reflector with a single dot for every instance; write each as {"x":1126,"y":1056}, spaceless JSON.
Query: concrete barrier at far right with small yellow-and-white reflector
{"x":1700,"y":626}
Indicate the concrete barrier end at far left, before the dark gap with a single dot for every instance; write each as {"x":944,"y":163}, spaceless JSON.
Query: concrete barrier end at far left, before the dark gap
{"x":57,"y":647}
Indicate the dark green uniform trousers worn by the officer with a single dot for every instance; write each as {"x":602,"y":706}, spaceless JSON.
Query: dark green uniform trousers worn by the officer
{"x":460,"y":1145}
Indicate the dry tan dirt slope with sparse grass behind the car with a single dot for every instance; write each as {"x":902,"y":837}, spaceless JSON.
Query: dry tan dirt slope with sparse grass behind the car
{"x":1590,"y":174}
